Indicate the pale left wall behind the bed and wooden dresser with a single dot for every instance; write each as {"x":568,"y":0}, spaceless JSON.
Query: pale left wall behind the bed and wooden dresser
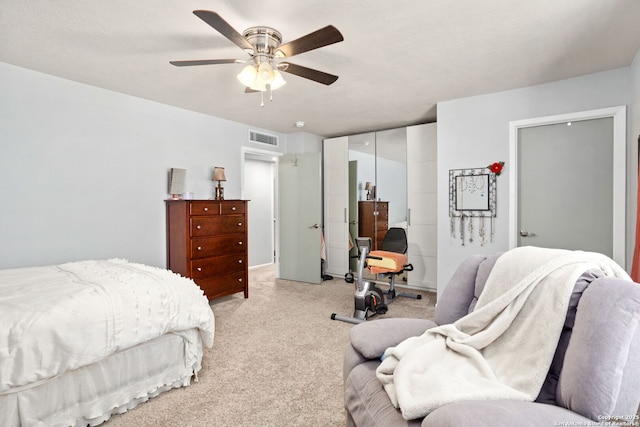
{"x":83,"y":170}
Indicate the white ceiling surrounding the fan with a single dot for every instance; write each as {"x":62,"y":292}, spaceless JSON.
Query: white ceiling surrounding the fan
{"x":397,"y":60}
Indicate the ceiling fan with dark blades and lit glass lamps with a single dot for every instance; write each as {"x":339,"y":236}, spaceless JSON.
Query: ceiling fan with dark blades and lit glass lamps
{"x":263,"y":44}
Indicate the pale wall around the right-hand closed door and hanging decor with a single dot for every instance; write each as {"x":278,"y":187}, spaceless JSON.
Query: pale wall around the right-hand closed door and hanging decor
{"x":474,"y":132}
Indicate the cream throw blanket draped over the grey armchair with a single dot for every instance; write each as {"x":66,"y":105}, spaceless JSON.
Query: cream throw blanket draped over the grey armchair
{"x":504,"y":348}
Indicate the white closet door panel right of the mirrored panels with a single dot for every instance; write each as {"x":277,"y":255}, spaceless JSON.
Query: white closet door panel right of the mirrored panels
{"x":421,"y":204}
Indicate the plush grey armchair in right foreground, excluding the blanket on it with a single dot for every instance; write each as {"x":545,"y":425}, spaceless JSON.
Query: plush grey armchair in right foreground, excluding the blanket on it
{"x":594,"y":377}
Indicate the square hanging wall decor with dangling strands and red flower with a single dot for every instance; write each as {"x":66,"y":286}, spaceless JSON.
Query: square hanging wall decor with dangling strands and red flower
{"x":472,"y":203}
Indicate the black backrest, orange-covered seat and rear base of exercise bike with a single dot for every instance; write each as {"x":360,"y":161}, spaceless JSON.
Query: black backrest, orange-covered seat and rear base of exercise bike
{"x":394,"y":241}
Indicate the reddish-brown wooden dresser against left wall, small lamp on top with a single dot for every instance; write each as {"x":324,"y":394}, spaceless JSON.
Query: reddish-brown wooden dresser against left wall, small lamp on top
{"x":207,"y":242}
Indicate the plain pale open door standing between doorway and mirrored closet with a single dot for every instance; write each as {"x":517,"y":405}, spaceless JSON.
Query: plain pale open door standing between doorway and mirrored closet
{"x":299,"y":213}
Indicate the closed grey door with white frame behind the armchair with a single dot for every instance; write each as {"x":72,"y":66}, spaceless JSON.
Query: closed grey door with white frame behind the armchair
{"x":570,"y":181}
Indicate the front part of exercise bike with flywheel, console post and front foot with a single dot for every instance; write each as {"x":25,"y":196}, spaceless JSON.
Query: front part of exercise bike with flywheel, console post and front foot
{"x":369,"y":300}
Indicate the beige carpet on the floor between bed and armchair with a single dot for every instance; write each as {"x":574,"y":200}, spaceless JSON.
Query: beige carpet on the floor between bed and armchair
{"x":276,"y":359}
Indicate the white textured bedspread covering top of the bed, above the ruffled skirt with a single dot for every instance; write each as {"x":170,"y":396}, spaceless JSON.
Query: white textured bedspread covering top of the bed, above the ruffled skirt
{"x":62,"y":317}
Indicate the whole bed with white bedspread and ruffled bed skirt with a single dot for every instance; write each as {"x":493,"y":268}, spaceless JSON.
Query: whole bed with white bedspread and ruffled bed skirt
{"x":84,"y":340}
